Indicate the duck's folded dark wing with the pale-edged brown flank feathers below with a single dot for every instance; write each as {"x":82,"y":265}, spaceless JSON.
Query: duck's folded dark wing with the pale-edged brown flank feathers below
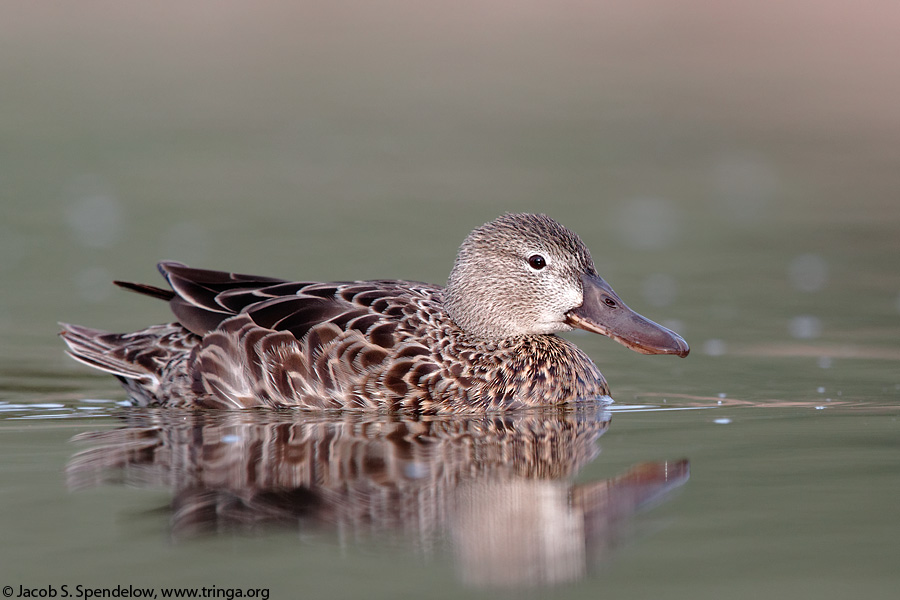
{"x":313,"y":344}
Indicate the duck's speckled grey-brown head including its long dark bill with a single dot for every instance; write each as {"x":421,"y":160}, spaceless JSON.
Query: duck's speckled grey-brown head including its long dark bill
{"x":524,"y":274}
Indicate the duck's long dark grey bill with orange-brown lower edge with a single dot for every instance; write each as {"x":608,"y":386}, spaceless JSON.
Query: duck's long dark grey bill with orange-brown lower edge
{"x":603,"y":312}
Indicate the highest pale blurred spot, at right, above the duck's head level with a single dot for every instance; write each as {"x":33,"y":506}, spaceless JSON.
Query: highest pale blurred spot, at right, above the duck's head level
{"x":744,"y":185}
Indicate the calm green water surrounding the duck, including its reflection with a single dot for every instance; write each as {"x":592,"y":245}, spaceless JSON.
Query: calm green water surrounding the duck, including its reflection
{"x":735,"y":174}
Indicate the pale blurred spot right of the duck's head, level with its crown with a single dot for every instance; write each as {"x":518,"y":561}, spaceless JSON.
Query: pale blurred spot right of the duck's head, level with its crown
{"x":648,"y":223}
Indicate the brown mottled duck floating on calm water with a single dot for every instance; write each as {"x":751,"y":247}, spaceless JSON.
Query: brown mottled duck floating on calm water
{"x":487,"y":341}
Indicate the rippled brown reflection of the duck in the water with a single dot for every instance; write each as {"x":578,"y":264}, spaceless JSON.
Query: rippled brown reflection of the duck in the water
{"x":499,"y":489}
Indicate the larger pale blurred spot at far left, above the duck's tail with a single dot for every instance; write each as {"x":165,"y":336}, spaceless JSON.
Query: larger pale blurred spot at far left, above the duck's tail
{"x":92,"y":213}
